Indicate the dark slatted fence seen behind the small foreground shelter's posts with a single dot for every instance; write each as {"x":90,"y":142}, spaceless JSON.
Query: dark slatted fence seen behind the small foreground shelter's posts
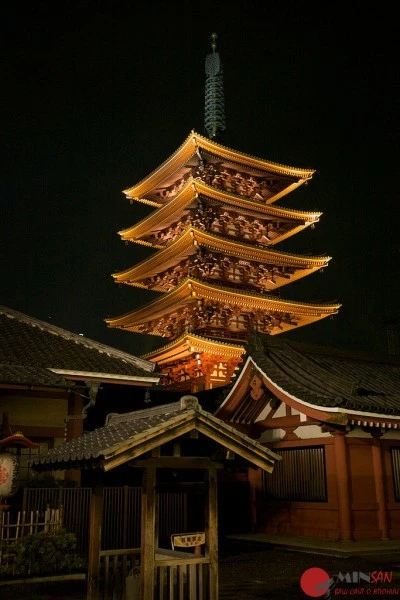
{"x":121,"y":514}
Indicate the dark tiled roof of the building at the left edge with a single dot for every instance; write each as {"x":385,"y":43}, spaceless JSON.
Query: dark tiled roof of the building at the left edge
{"x":29,"y":348}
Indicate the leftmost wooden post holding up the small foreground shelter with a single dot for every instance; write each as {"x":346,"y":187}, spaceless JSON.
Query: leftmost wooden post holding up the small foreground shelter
{"x":96,"y":518}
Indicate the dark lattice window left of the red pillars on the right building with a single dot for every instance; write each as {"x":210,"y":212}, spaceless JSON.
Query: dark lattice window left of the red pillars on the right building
{"x":300,"y":476}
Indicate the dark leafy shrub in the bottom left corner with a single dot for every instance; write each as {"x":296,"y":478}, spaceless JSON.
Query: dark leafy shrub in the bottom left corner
{"x":43,"y":553}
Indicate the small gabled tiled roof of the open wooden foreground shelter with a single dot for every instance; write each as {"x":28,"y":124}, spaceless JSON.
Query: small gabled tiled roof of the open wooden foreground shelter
{"x":125,"y":431}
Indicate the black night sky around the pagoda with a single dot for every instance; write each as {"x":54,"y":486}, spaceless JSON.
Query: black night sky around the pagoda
{"x":97,"y":94}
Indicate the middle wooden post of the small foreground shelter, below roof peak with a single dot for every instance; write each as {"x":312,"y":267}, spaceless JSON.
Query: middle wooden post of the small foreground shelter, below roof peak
{"x":148,"y":533}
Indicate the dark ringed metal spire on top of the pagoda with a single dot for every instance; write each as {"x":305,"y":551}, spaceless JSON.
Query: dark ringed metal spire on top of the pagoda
{"x":214,"y":119}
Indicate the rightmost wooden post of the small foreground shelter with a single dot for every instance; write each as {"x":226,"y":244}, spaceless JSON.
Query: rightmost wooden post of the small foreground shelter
{"x":211,"y":530}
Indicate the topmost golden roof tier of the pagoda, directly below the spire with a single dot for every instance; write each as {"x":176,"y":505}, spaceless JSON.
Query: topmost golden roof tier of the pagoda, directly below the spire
{"x":251,"y":176}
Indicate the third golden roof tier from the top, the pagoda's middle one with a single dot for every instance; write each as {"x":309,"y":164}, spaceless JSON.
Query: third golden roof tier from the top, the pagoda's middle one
{"x":217,"y":258}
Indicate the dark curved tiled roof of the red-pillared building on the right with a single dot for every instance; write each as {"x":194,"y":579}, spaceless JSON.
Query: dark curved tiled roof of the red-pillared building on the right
{"x":327,"y":377}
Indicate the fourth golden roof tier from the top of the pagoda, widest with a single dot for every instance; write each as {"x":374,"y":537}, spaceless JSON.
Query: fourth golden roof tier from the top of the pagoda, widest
{"x":221,"y":312}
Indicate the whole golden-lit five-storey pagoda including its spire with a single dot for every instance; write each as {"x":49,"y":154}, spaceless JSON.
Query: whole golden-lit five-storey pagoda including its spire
{"x":214,"y":229}
